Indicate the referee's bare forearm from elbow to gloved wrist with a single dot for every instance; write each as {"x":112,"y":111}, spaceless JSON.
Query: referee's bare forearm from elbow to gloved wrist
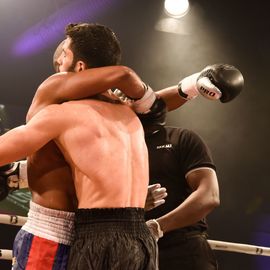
{"x":196,"y":207}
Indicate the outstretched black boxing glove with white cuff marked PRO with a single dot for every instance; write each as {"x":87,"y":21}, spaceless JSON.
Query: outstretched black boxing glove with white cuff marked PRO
{"x":218,"y":81}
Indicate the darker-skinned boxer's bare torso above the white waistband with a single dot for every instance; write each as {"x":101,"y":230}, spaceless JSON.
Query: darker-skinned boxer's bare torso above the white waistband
{"x":50,"y":179}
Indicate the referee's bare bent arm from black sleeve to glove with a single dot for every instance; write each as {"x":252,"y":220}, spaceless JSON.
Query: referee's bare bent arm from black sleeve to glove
{"x":203,"y":199}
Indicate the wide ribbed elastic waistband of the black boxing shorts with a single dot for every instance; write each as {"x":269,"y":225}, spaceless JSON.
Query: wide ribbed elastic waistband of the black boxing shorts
{"x":100,"y":220}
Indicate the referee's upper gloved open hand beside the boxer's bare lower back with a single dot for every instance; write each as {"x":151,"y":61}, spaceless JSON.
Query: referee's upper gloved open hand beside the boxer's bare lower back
{"x":155,"y":196}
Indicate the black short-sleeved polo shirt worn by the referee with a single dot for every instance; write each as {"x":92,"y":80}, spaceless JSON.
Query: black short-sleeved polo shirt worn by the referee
{"x":173,"y":152}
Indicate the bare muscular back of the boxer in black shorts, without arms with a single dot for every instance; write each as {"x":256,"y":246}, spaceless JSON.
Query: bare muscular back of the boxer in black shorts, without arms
{"x":104,"y":145}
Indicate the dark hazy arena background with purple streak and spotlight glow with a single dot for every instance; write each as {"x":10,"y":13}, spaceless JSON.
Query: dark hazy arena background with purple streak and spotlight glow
{"x":234,"y":32}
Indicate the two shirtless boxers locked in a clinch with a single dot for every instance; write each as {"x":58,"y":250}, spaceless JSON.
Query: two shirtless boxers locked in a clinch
{"x":89,"y":155}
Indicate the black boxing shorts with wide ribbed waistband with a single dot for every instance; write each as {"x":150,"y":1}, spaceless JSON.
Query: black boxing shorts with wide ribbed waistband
{"x":112,"y":238}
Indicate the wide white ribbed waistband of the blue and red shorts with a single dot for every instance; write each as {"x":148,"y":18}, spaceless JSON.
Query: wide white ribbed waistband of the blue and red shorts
{"x":51,"y":224}
